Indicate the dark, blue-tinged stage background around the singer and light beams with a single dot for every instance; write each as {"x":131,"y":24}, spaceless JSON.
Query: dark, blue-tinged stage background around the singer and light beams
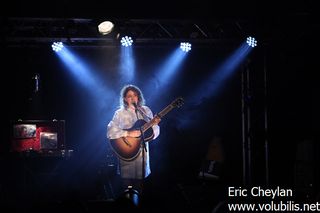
{"x":288,"y":55}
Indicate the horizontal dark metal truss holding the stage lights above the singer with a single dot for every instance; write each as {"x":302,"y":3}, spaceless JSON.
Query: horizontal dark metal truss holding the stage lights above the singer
{"x":75,"y":31}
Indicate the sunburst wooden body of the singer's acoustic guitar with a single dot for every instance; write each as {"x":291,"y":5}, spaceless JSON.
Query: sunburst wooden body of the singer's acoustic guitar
{"x":128,"y":148}
